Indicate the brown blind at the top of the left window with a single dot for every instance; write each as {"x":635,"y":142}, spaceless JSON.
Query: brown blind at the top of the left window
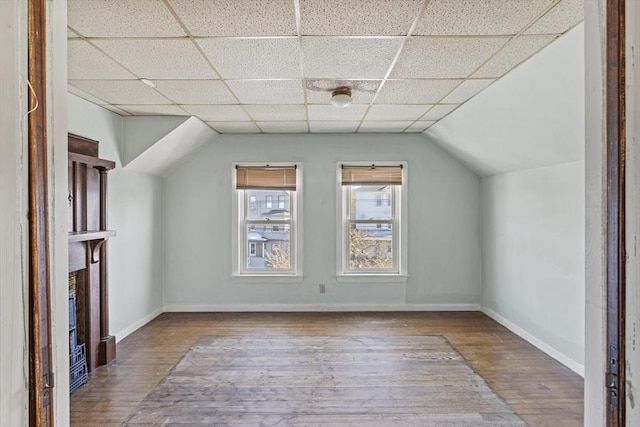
{"x":266,"y":178}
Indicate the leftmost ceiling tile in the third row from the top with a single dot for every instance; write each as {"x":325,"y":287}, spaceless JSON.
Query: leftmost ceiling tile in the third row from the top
{"x":120,"y":91}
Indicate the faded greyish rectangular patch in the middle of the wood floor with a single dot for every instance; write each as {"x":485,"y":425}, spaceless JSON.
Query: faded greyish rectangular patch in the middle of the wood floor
{"x":313,"y":380}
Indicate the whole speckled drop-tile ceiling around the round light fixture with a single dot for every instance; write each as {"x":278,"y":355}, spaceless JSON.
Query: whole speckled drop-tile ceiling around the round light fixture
{"x":269,"y":66}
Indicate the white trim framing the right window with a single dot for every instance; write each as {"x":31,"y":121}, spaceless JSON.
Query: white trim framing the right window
{"x":343,"y":274}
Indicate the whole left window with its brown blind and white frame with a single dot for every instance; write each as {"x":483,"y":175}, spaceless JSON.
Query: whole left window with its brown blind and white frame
{"x":266,"y":243}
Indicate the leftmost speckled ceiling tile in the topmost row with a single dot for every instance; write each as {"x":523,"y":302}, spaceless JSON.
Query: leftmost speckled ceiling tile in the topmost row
{"x":122,"y":18}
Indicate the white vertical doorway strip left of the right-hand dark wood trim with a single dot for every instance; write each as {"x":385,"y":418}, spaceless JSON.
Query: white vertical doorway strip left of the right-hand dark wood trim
{"x":595,"y":199}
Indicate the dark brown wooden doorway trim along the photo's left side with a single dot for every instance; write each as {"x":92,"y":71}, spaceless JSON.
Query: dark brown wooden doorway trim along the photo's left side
{"x":40,"y":375}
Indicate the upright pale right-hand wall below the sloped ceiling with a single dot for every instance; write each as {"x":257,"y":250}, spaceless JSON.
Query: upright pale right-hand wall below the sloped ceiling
{"x":533,"y":256}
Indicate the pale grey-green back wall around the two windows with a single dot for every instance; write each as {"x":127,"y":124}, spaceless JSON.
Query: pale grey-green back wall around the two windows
{"x":444,"y":225}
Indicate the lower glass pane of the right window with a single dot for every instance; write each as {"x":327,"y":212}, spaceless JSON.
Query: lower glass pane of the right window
{"x":370,"y":246}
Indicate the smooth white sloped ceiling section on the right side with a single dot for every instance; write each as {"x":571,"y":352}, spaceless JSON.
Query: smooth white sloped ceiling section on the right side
{"x":533,"y":117}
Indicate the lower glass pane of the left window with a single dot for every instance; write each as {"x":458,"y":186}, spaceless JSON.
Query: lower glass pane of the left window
{"x":268,"y":247}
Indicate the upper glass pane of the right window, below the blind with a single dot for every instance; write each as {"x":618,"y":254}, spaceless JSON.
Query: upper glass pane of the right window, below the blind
{"x":366,"y":202}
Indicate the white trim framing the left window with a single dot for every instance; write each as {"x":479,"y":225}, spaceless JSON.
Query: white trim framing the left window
{"x":238,"y":273}
